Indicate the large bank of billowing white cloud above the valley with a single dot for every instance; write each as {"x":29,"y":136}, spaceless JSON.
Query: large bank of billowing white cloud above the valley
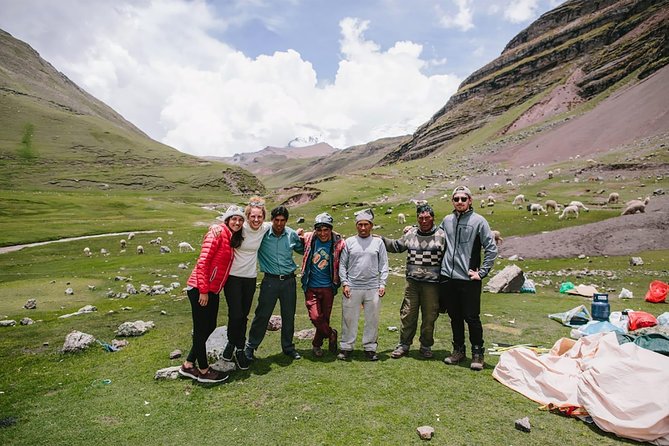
{"x":158,"y":64}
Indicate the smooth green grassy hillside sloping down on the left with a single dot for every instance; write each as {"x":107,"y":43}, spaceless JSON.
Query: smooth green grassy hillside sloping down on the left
{"x":53,"y":134}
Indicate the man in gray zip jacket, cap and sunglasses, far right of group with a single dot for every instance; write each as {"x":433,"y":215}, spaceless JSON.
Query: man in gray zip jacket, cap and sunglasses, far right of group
{"x":467,"y":233}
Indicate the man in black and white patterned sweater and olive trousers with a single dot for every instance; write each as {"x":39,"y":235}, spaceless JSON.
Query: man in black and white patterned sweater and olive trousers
{"x":425,"y":245}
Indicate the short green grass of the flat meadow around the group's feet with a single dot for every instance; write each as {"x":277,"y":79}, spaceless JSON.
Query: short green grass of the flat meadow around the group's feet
{"x":62,"y":398}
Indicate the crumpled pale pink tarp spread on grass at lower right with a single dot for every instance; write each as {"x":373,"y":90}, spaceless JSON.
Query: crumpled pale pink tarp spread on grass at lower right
{"x":624,"y":388}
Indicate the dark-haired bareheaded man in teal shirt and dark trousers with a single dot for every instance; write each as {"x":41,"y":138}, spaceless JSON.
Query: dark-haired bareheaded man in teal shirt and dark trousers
{"x":275,"y":258}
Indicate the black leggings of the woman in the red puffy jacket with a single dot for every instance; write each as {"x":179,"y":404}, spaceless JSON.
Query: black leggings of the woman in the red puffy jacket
{"x":204,"y":324}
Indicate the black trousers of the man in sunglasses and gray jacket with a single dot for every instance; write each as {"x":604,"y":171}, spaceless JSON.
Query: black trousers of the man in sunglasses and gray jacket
{"x":463,"y":303}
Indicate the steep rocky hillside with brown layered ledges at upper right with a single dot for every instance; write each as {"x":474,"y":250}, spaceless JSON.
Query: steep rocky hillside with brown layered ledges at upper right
{"x":561,"y":62}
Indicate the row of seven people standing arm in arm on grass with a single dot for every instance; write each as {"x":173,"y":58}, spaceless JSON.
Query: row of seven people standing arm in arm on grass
{"x":444,"y":273}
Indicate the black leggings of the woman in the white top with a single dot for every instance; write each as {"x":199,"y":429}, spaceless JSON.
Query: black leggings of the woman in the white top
{"x":239,"y":297}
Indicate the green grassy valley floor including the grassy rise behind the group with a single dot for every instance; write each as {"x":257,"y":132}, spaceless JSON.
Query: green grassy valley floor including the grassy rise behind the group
{"x":47,"y":397}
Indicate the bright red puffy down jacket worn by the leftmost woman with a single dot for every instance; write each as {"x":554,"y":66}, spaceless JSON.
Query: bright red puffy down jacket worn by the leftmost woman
{"x":213,"y":266}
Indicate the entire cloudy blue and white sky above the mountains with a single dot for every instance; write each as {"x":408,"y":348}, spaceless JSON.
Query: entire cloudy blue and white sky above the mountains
{"x":220,"y":77}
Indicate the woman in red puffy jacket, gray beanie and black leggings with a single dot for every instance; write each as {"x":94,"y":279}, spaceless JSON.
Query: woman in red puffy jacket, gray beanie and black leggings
{"x":204,"y":287}
